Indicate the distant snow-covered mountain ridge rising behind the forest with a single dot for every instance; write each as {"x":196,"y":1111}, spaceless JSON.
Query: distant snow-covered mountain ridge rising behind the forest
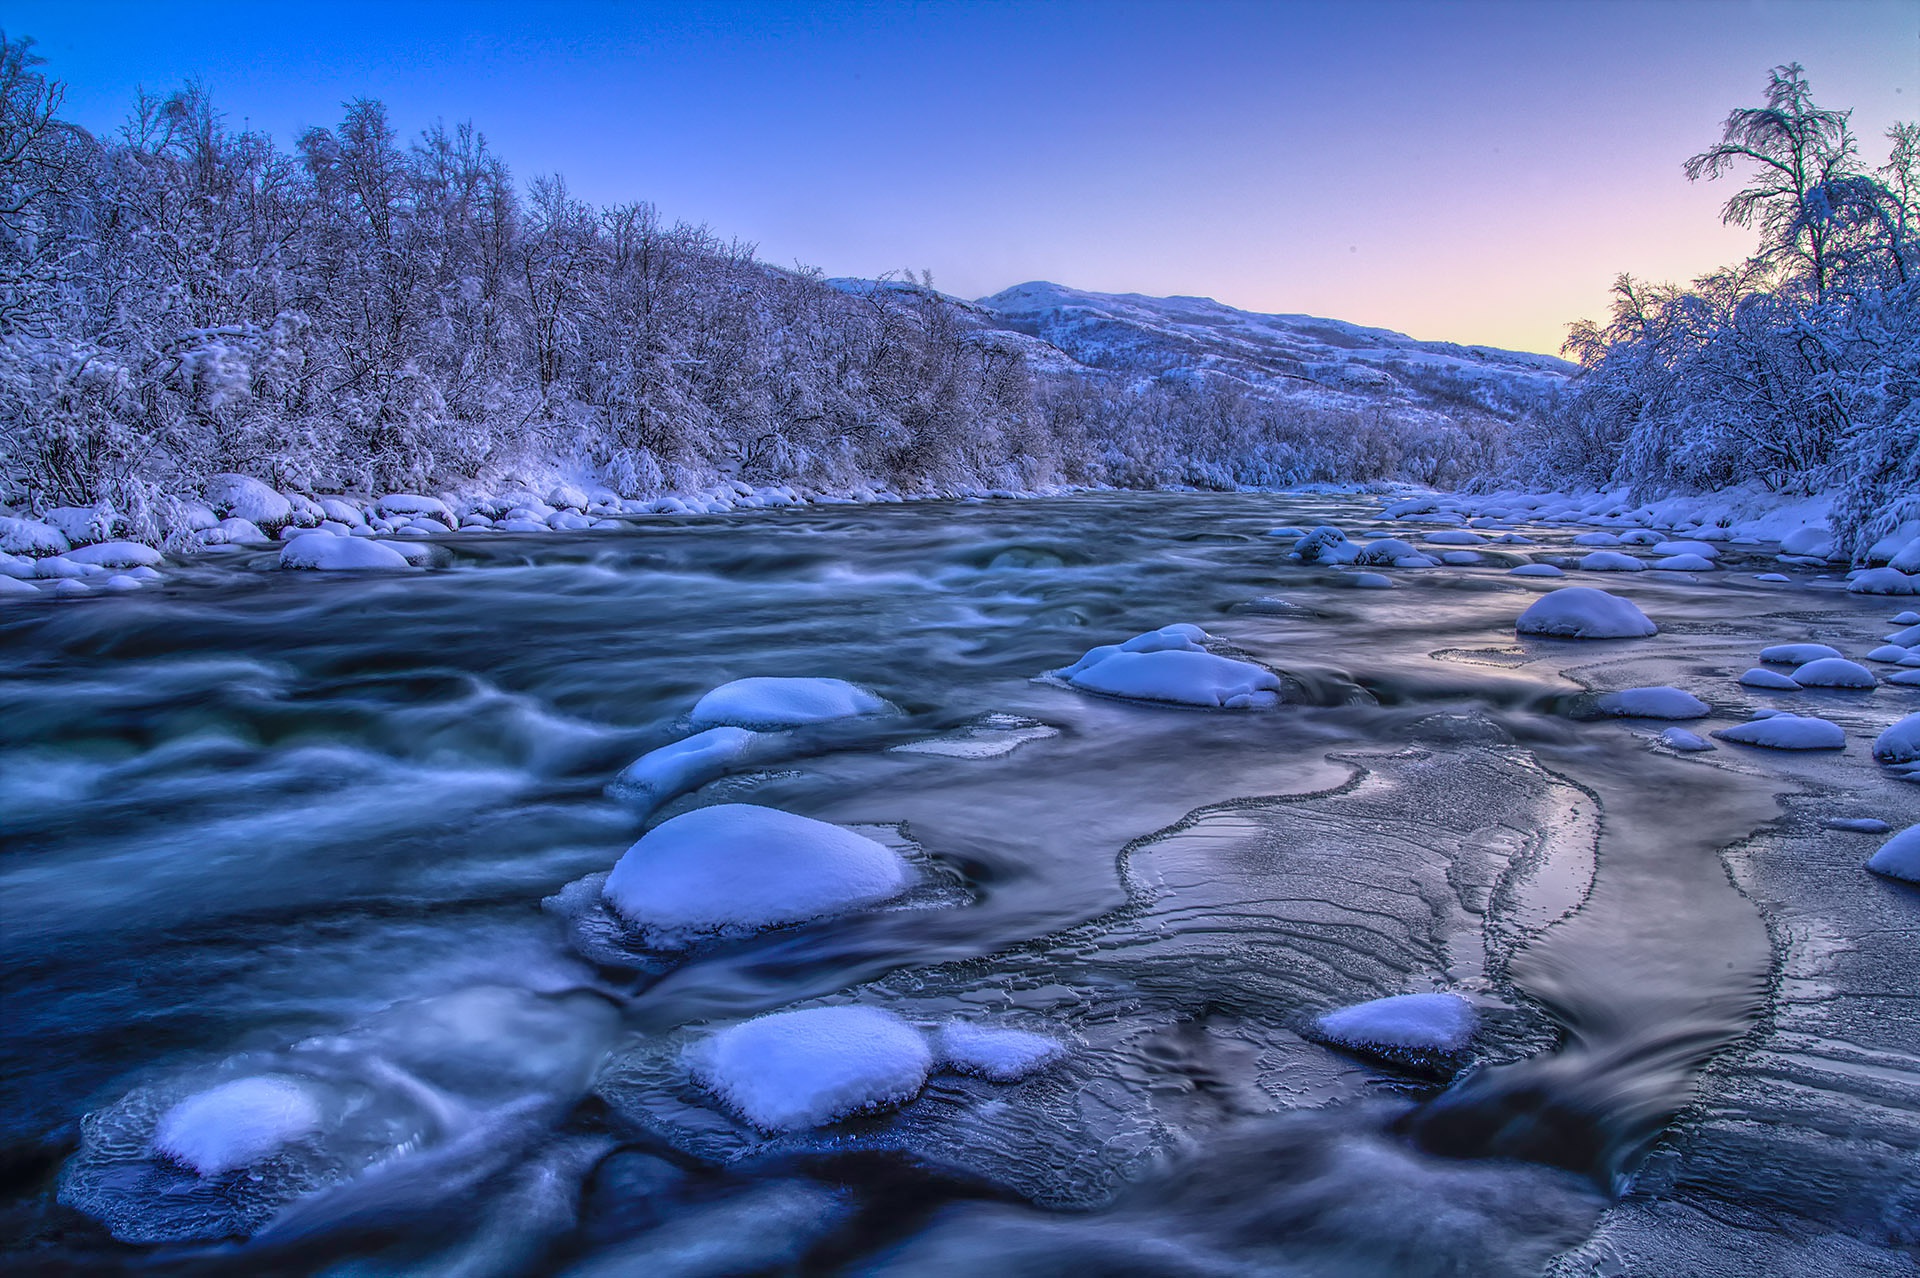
{"x":1274,"y":354}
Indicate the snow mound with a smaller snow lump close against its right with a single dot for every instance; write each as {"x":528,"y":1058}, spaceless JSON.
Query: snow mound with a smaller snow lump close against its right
{"x":798,"y":1070}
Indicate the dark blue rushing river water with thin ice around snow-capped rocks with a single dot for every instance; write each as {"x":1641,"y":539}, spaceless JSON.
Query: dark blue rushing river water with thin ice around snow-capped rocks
{"x":274,"y":822}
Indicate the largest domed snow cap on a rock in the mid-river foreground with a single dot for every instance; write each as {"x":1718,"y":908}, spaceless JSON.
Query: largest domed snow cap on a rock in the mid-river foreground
{"x":738,"y":868}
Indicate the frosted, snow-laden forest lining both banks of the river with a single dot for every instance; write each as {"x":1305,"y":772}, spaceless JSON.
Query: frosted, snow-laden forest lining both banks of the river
{"x":372,"y":314}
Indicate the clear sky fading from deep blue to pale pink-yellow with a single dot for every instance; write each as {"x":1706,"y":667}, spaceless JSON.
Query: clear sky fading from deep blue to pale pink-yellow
{"x":1470,"y":172}
